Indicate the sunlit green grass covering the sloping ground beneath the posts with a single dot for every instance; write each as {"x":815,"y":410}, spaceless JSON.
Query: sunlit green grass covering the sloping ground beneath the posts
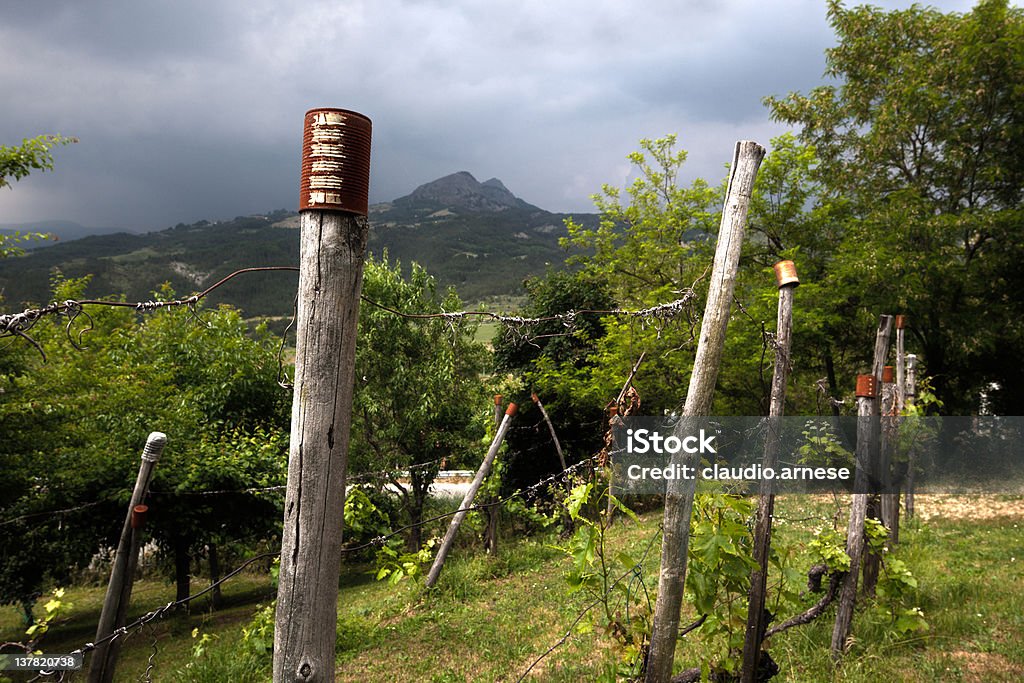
{"x":490,"y":619}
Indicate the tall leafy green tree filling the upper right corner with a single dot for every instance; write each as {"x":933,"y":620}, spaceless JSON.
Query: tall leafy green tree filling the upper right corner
{"x":924,"y":138}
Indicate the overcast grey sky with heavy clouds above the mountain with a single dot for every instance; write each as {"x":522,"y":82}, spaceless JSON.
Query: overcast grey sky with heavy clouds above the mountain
{"x":194,"y":109}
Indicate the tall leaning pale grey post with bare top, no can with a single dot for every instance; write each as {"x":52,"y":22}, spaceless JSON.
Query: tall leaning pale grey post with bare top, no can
{"x":679,"y":495}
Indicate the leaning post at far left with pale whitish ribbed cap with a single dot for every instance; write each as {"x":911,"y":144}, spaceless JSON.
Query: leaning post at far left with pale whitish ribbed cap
{"x":123,"y":572}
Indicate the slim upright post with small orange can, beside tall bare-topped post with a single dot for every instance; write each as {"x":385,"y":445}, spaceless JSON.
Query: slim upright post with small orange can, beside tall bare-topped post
{"x":786,"y":276}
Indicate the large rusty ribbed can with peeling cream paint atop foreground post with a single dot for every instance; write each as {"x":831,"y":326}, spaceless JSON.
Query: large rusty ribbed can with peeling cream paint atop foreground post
{"x":335,"y":162}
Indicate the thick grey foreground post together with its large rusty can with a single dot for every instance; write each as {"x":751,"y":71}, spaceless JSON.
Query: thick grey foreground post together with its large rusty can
{"x":333,"y":233}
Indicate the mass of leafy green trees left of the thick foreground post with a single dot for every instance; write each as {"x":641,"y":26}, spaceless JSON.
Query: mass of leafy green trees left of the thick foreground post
{"x":75,"y":428}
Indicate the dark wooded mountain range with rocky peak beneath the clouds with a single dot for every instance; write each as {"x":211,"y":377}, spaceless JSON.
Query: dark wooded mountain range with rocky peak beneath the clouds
{"x":478,"y":237}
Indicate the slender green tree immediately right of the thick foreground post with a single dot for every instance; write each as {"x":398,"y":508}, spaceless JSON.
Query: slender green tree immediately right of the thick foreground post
{"x":418,"y":393}
